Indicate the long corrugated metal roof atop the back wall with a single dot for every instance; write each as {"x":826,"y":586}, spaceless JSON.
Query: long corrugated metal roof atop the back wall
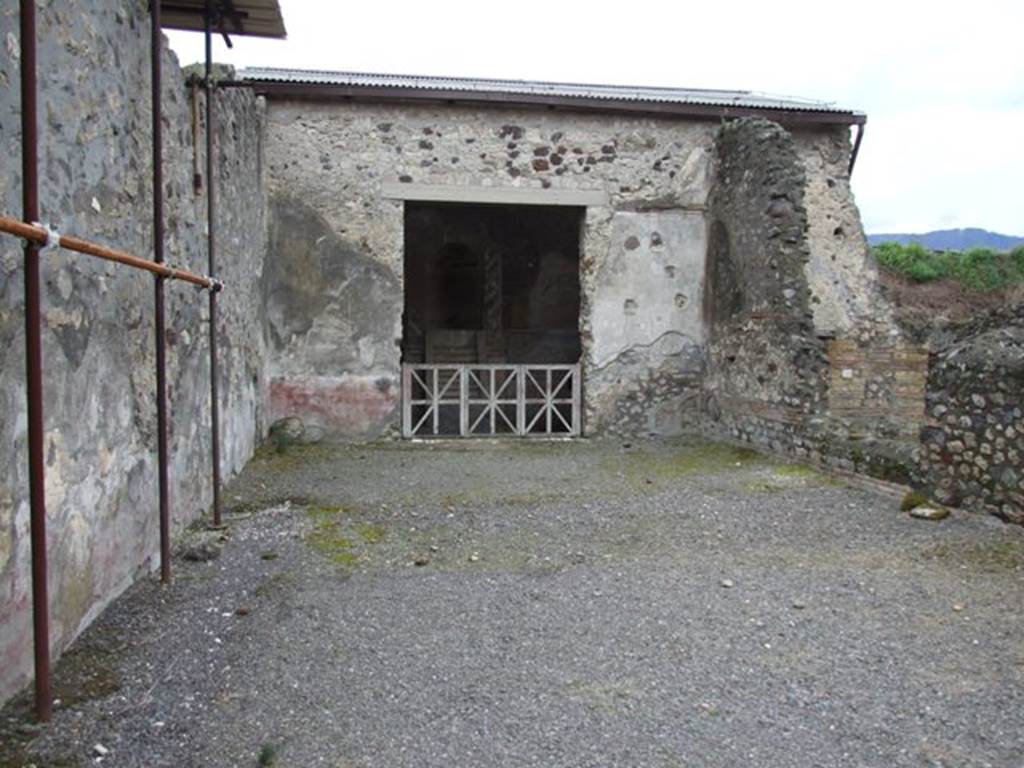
{"x":612,"y":94}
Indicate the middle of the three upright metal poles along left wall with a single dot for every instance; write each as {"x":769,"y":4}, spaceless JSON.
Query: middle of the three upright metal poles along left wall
{"x":158,"y":257}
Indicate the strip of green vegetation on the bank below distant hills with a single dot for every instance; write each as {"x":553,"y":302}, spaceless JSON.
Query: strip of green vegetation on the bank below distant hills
{"x":978,"y":270}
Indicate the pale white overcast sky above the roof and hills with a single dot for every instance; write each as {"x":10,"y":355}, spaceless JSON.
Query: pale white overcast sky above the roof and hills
{"x":943,"y":83}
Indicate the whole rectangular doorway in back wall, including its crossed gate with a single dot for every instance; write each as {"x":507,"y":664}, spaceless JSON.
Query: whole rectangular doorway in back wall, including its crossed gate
{"x":491,"y":338}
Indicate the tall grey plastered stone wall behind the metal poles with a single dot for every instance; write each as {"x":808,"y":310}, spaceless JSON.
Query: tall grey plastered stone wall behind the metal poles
{"x":98,"y":338}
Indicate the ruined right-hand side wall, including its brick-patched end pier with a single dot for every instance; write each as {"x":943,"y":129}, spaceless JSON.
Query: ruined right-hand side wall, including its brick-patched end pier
{"x":802,"y":360}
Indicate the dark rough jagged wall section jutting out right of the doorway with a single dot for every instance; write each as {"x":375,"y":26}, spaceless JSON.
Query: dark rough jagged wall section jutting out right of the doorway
{"x":767,"y":378}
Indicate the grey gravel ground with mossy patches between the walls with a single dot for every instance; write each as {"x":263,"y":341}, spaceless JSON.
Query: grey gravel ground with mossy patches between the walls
{"x":673,"y":604}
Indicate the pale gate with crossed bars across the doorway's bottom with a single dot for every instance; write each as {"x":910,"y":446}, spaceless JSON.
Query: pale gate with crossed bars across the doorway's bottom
{"x":490,"y":401}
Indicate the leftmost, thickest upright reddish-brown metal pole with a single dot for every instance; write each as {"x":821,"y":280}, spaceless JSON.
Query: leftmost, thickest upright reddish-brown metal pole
{"x":34,"y":365}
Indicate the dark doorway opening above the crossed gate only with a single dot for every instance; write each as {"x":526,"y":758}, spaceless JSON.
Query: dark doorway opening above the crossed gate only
{"x":492,"y":284}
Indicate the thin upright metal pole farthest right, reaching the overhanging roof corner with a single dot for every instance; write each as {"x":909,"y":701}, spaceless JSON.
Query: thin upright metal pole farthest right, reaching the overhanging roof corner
{"x":211,"y":198}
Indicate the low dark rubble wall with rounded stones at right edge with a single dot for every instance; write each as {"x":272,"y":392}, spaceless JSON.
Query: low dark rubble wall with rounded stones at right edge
{"x":973,"y":447}
